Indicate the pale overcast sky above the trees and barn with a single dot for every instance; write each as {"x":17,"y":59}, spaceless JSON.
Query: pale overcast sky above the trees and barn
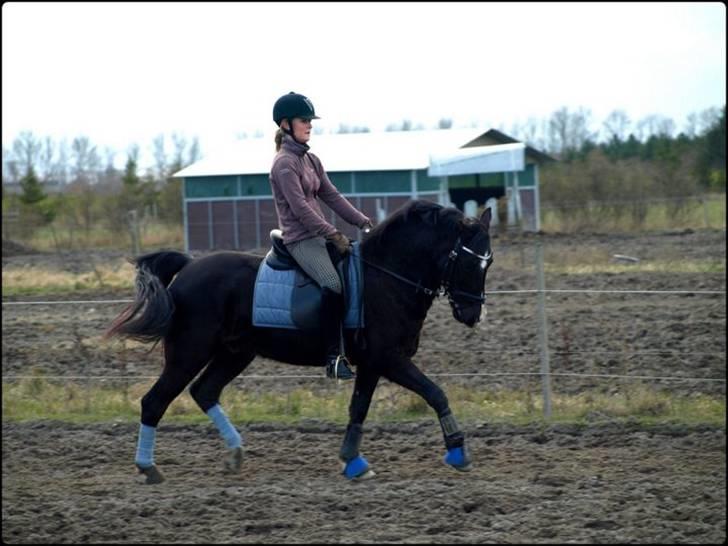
{"x":123,"y":73}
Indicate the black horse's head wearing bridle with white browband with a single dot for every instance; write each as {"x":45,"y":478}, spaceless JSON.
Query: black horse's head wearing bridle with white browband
{"x":467,"y":267}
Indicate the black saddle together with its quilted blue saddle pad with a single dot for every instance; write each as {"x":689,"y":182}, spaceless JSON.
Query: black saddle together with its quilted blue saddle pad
{"x":286,"y":297}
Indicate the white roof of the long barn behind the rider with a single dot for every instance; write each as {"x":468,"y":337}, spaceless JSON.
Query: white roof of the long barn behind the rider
{"x":382,"y":151}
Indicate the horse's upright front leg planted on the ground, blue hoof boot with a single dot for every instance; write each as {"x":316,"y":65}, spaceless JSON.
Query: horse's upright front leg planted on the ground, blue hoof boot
{"x":355,"y":465}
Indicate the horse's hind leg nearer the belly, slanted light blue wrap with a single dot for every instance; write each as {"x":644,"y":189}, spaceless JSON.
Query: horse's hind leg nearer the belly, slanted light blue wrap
{"x":206,"y":390}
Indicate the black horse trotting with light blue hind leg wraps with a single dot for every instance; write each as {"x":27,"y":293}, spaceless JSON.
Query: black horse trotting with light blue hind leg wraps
{"x":201,"y":309}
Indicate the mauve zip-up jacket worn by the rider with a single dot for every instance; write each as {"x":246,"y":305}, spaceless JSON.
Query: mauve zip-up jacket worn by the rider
{"x":297,"y":179}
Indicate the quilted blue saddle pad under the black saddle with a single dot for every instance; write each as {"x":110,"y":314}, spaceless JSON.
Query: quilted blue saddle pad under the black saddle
{"x":273,"y":295}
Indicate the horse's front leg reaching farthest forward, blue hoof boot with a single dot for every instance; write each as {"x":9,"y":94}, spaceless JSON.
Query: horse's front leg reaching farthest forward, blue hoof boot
{"x":406,"y":374}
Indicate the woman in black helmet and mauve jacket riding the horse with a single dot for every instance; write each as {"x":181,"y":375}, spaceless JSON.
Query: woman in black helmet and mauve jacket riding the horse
{"x":297,"y":179}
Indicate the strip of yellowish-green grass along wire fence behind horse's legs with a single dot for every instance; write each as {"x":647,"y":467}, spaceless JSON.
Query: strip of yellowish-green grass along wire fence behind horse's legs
{"x":36,"y":398}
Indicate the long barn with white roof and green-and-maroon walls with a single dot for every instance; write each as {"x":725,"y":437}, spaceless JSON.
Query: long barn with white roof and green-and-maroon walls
{"x":227,"y":199}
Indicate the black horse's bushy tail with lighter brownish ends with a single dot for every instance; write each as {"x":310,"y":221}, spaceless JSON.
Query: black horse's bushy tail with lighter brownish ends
{"x":149,"y":317}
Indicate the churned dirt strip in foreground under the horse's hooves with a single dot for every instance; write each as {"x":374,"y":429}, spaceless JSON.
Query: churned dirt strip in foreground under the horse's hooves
{"x":563,"y":484}
